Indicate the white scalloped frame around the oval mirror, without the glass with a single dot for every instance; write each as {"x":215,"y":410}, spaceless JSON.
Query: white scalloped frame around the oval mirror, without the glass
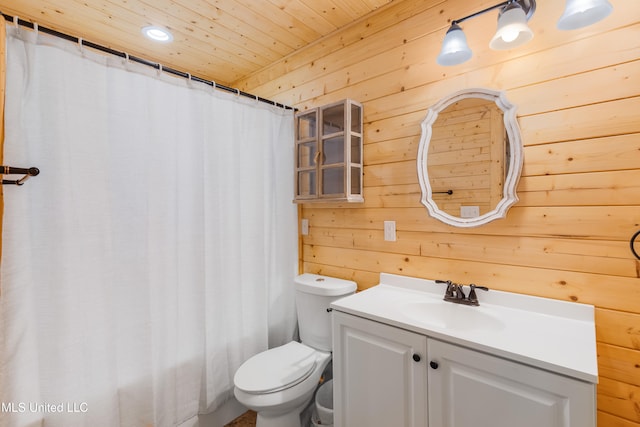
{"x":515,"y":162}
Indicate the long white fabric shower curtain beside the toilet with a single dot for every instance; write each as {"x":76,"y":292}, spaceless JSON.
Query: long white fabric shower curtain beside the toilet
{"x":154,"y":253}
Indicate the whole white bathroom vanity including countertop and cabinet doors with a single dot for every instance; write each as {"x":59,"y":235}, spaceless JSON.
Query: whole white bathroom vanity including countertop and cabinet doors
{"x":404,"y":357}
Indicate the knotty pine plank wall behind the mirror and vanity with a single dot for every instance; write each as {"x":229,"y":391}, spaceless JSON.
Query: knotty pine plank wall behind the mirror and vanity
{"x":578,"y":98}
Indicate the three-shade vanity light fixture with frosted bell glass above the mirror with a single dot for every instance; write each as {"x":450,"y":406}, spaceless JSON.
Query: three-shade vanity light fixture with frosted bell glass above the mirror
{"x":513,"y":30}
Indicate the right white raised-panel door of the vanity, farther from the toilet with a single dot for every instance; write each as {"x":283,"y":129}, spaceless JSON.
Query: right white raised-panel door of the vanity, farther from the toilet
{"x":472,"y":389}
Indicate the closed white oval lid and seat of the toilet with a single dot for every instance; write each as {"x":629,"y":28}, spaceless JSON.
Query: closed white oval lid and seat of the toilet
{"x":276,"y":369}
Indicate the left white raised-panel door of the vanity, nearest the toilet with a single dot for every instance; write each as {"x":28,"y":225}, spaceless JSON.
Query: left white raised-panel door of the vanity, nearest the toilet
{"x":380,"y":374}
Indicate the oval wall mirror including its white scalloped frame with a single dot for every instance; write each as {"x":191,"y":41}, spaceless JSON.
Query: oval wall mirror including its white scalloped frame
{"x":470,"y":157}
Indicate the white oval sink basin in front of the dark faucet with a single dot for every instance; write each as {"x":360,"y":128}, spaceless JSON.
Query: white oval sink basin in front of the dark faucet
{"x":447,"y":315}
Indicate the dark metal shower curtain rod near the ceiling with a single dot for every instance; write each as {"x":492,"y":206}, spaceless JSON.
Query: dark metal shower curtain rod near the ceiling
{"x":143,"y":61}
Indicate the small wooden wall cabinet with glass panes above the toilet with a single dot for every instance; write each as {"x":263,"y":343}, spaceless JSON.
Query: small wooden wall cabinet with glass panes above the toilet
{"x":329,"y":153}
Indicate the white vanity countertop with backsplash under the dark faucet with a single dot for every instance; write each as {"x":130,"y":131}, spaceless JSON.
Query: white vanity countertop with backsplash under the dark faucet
{"x":557,"y":336}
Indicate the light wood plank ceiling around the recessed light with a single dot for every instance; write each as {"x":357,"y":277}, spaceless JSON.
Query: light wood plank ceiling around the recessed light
{"x":219,"y":40}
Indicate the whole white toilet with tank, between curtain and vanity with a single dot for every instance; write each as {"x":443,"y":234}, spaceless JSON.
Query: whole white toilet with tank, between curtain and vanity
{"x":279,"y":383}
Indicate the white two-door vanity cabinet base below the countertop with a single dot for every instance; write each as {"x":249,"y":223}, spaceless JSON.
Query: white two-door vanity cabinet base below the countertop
{"x":387,"y":376}
